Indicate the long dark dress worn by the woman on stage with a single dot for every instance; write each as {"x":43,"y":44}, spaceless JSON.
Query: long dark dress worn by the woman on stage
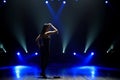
{"x":45,"y":53}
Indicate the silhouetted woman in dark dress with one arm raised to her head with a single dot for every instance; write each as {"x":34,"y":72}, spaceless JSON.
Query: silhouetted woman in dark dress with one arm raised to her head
{"x":43,"y":42}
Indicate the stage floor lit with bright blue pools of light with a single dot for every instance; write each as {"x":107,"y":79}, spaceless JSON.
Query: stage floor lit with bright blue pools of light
{"x":66,"y":72}
